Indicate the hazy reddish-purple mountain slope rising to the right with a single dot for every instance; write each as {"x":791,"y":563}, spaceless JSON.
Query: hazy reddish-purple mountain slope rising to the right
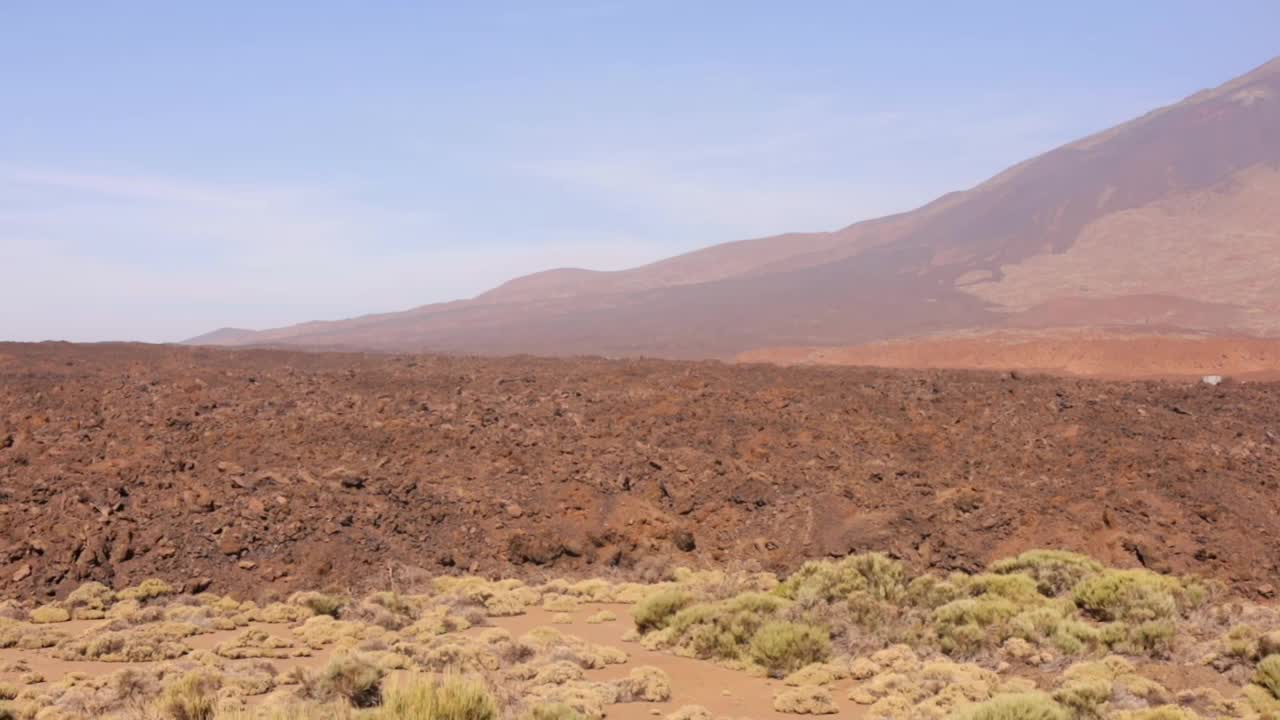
{"x":1171,"y":222}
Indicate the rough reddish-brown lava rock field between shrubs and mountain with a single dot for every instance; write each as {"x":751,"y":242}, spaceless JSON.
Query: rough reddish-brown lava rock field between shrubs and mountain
{"x":262,"y":472}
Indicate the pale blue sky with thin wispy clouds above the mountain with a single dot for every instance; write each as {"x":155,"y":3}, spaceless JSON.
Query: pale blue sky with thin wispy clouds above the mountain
{"x":171,"y":168}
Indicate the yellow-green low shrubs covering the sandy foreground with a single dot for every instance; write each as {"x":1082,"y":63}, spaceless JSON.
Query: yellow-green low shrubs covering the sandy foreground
{"x":897,"y":644}
